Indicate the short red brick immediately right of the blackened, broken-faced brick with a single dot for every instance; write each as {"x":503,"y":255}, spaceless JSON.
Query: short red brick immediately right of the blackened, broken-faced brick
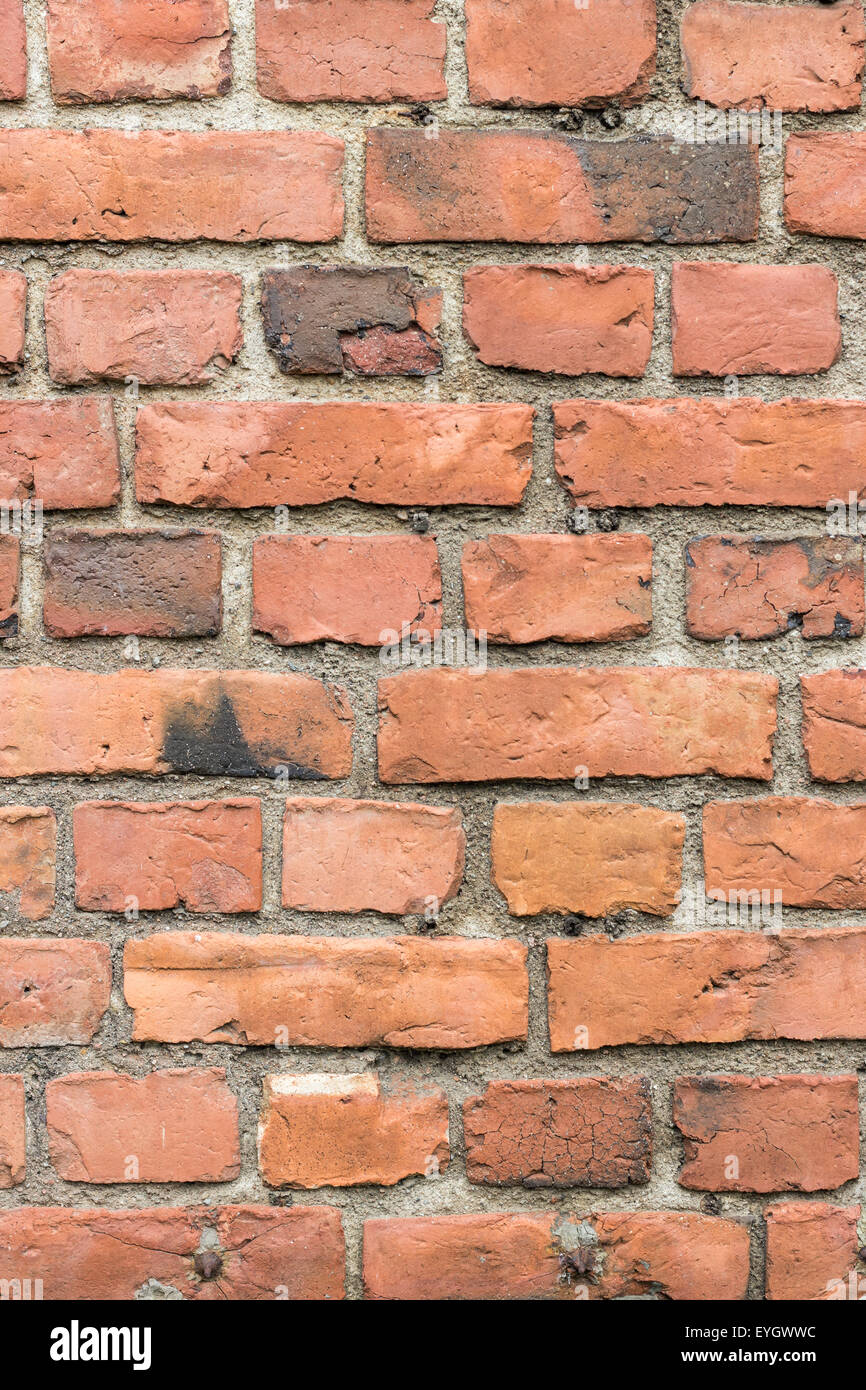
{"x":562,"y":319}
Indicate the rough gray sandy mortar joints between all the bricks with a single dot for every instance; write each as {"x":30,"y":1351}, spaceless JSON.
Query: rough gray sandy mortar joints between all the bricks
{"x":479,"y":908}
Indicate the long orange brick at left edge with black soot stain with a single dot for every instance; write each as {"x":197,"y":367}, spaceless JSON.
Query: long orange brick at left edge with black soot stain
{"x":222,"y":723}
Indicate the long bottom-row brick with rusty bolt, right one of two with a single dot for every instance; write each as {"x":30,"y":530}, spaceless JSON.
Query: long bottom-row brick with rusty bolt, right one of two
{"x":680,"y":1256}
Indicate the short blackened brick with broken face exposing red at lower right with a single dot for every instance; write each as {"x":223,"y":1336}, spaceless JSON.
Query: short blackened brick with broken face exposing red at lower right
{"x":361,"y":319}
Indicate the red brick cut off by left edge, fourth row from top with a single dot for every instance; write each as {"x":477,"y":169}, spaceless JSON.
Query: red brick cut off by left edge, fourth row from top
{"x":62,"y":452}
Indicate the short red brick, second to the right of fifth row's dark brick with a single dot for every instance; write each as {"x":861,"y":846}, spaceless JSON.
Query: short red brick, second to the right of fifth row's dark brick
{"x":529,"y":589}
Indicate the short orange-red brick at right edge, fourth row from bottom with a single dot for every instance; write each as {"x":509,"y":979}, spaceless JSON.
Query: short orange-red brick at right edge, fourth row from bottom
{"x":806,"y":853}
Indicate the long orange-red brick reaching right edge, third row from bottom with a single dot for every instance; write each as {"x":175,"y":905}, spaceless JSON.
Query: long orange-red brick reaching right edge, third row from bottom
{"x":707,"y":988}
